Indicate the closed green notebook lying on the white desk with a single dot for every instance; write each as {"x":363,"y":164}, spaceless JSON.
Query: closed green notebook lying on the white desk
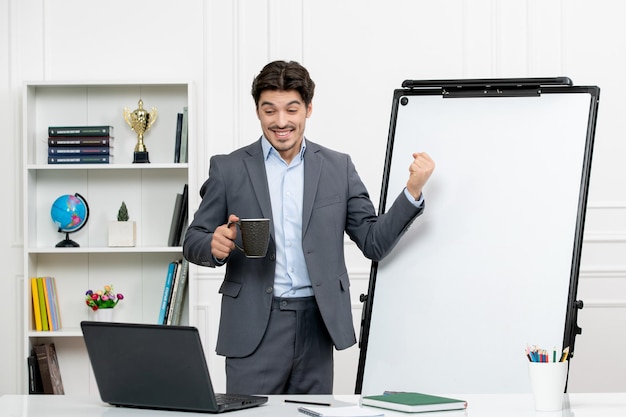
{"x":413,"y":402}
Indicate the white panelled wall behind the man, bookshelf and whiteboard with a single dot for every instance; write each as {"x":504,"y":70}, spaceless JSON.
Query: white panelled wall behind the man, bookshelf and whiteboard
{"x":358,"y":52}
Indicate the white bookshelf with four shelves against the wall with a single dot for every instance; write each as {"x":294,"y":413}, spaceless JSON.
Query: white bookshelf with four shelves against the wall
{"x":149,"y":191}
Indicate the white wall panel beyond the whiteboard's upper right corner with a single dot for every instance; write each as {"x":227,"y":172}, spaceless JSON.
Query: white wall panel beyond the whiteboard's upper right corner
{"x":594,"y":36}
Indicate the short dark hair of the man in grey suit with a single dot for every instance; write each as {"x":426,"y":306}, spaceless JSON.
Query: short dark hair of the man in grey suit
{"x":284,"y":76}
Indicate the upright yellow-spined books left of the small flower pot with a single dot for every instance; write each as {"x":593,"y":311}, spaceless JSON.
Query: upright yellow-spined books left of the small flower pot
{"x":45,"y":304}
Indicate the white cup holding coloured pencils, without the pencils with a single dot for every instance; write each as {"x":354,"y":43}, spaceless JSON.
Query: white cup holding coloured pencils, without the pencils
{"x":547,"y":381}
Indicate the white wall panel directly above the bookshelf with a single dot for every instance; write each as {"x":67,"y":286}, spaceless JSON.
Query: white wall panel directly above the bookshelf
{"x":122,"y":39}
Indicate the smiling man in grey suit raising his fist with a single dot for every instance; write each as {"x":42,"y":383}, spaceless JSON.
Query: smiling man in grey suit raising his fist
{"x":282,"y":314}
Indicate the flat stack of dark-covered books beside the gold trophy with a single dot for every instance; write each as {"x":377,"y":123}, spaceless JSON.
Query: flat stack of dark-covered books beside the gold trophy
{"x":80,"y":145}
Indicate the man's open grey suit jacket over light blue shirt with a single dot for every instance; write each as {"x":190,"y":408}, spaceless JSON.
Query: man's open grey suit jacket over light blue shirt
{"x":335,"y":201}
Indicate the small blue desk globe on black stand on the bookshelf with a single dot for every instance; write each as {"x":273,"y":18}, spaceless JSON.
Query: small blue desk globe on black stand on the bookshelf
{"x":69,"y":213}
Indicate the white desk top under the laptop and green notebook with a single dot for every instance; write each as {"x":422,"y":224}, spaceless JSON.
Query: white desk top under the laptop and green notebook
{"x":479,"y":405}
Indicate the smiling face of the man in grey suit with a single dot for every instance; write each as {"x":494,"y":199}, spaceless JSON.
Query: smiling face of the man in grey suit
{"x":283,"y":117}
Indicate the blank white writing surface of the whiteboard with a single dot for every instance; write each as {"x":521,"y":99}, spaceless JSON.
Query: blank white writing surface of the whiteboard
{"x":486,"y":269}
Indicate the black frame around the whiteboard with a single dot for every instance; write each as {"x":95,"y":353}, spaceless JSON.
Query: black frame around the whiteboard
{"x":487,"y":88}
